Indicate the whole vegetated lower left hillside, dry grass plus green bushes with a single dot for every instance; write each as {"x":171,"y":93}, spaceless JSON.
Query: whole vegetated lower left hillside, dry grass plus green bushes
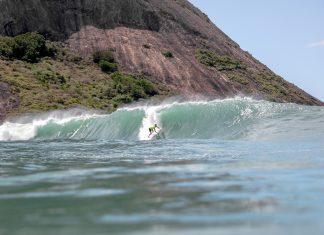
{"x":68,"y":80}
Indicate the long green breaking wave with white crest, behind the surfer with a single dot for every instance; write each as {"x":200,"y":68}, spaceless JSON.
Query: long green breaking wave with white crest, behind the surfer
{"x":236,"y":118}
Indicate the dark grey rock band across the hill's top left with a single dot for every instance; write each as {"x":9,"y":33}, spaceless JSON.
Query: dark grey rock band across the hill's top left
{"x":58,"y":19}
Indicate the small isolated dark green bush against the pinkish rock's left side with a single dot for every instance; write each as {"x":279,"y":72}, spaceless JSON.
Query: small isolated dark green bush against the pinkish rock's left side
{"x":106,"y":61}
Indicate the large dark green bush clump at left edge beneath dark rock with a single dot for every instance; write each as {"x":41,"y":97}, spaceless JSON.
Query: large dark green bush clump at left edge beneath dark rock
{"x":29,"y":47}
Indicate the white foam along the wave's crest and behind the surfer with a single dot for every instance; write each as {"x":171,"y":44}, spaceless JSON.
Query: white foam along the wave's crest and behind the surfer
{"x":26,"y":127}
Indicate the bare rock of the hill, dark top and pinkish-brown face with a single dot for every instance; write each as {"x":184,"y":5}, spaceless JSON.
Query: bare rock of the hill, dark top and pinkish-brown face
{"x":170,"y":41}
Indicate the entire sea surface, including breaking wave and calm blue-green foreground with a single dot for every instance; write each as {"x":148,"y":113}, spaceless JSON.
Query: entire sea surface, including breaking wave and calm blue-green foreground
{"x":223,"y":167}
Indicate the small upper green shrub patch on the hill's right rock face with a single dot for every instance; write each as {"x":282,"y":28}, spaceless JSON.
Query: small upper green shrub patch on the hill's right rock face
{"x":220,"y":62}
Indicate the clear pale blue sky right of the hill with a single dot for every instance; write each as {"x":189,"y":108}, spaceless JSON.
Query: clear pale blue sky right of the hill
{"x":285,"y":35}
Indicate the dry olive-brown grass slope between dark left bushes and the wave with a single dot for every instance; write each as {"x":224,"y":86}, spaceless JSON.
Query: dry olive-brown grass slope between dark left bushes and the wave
{"x":86,"y":85}
